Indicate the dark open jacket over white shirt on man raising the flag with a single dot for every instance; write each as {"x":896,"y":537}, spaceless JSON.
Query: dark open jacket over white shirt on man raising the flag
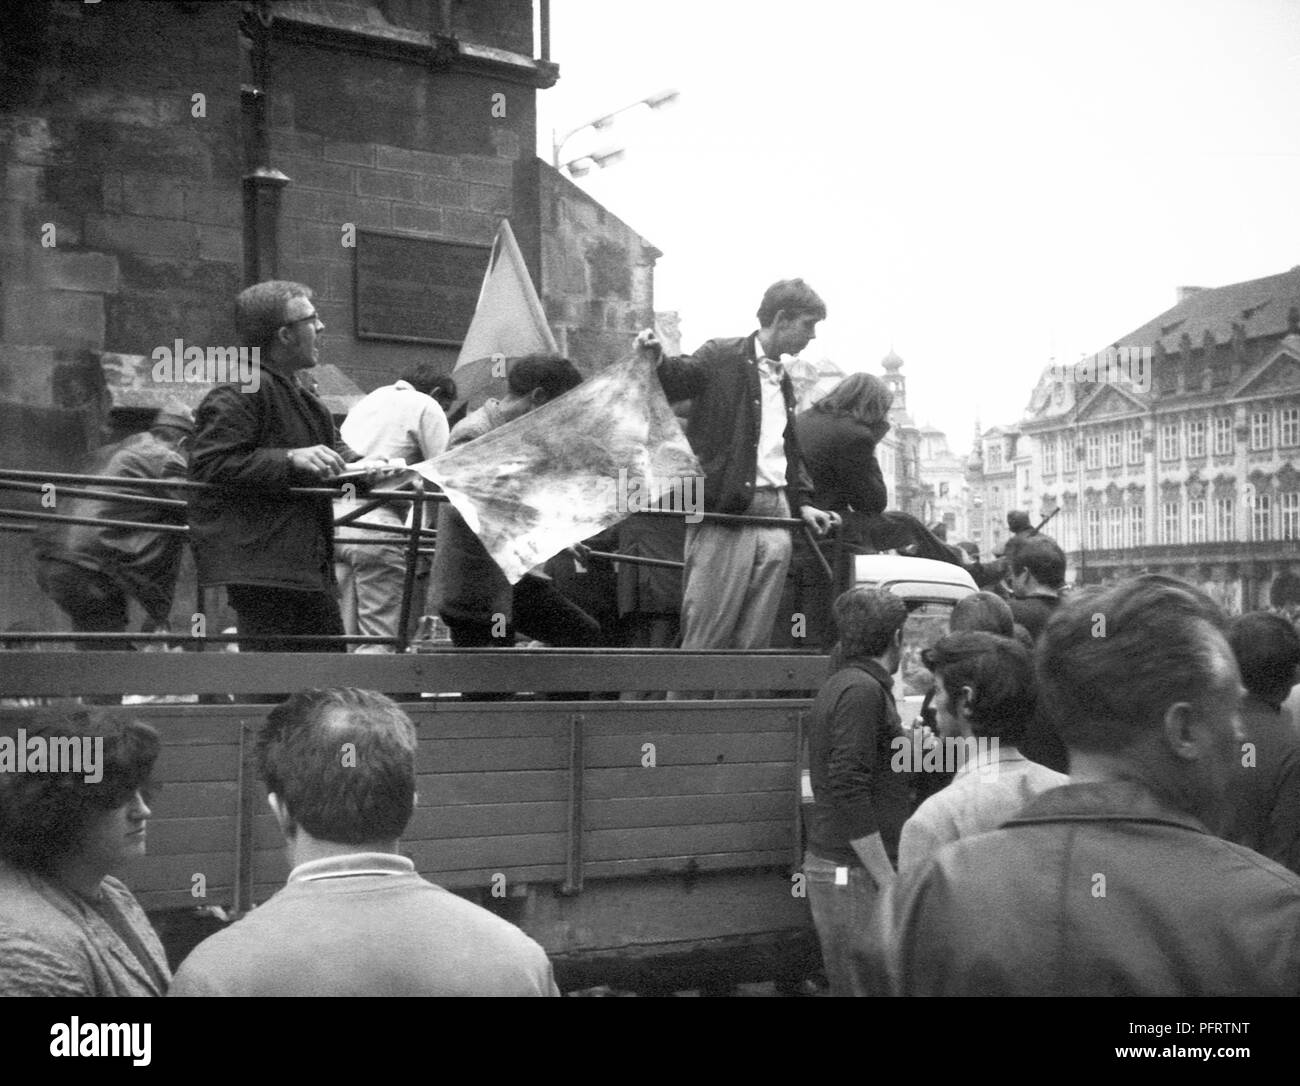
{"x":722,"y":379}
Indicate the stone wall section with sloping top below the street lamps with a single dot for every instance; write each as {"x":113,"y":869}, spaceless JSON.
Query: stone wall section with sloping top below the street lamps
{"x":597,"y":275}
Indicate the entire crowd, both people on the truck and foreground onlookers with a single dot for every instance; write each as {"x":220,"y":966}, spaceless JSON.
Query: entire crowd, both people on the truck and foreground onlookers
{"x":1134,"y":828}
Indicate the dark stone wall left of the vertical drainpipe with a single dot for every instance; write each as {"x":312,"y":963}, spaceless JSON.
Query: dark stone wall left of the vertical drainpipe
{"x":98,"y":139}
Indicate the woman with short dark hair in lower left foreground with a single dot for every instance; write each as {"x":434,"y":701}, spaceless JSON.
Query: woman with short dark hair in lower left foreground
{"x":68,"y":927}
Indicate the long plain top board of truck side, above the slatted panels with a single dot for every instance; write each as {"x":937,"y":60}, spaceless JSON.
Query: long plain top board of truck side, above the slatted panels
{"x":63,"y":674}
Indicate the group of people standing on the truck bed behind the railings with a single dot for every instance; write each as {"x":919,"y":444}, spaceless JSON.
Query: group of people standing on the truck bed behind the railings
{"x":296,"y":582}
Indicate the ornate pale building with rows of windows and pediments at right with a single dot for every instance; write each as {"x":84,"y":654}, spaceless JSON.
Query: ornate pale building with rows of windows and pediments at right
{"x":1176,"y":452}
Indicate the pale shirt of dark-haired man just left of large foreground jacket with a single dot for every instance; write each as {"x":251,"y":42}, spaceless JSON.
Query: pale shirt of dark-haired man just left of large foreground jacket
{"x":978,"y":799}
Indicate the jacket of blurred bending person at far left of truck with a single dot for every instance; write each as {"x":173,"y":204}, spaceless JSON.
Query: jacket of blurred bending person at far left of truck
{"x":144,"y":564}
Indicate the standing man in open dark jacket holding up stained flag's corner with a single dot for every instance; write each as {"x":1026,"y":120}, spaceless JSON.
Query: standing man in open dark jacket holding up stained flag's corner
{"x":743,"y":431}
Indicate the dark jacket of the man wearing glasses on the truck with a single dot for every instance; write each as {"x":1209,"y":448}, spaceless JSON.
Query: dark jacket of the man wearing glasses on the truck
{"x":257,"y":533}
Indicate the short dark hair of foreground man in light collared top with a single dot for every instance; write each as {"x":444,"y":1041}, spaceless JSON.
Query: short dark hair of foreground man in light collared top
{"x":343,"y":762}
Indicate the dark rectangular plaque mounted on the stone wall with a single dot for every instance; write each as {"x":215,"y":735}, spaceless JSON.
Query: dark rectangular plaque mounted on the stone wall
{"x":418,"y":291}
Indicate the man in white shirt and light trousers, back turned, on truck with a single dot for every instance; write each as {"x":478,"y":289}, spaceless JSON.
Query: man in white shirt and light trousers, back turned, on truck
{"x":396,"y":422}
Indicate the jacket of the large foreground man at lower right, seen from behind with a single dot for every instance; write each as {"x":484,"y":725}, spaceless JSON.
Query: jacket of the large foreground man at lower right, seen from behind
{"x":1091,"y":890}
